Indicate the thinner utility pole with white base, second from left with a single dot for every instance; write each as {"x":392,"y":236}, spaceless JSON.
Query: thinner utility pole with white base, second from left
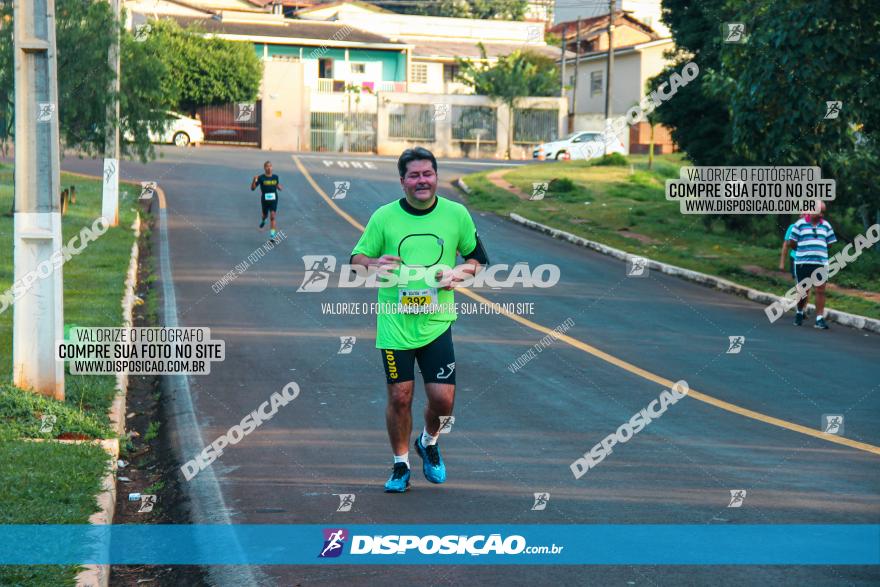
{"x":110,"y":192}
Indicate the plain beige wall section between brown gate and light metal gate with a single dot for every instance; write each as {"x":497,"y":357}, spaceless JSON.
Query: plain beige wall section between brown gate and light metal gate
{"x":285,"y":110}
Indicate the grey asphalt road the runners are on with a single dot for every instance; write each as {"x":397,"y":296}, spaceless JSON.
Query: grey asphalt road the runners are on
{"x":515,"y":433}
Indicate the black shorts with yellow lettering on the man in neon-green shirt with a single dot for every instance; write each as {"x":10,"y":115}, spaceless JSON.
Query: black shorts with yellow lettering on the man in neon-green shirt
{"x":436,"y":361}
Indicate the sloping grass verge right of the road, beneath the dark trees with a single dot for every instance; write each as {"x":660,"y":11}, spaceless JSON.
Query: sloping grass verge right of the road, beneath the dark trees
{"x":625,"y":207}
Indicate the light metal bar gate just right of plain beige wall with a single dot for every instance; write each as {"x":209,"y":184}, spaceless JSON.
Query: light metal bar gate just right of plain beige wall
{"x":337,"y":132}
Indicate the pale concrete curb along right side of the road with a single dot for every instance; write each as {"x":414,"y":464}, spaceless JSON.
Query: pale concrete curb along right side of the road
{"x":844,"y":318}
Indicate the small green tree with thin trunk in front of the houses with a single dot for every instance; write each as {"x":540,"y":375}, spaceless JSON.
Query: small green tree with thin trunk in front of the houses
{"x":514,"y":76}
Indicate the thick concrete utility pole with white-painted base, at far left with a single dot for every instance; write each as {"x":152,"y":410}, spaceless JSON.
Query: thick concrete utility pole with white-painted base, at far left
{"x":38,"y":314}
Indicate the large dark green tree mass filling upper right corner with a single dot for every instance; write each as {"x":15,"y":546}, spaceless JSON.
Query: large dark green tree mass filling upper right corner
{"x":763,"y":102}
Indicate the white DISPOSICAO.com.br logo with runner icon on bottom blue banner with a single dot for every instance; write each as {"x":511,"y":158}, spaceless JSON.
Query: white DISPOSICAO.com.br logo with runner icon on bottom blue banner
{"x":451,"y":544}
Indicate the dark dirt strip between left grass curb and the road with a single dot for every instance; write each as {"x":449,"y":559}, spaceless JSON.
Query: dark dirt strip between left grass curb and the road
{"x":151,"y":465}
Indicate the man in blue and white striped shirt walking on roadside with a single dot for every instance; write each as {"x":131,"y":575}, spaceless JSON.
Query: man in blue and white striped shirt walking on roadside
{"x":810,"y":238}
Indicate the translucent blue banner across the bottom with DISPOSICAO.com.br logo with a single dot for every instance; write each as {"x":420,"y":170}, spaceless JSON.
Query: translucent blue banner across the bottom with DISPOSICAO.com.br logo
{"x":795,"y":544}
